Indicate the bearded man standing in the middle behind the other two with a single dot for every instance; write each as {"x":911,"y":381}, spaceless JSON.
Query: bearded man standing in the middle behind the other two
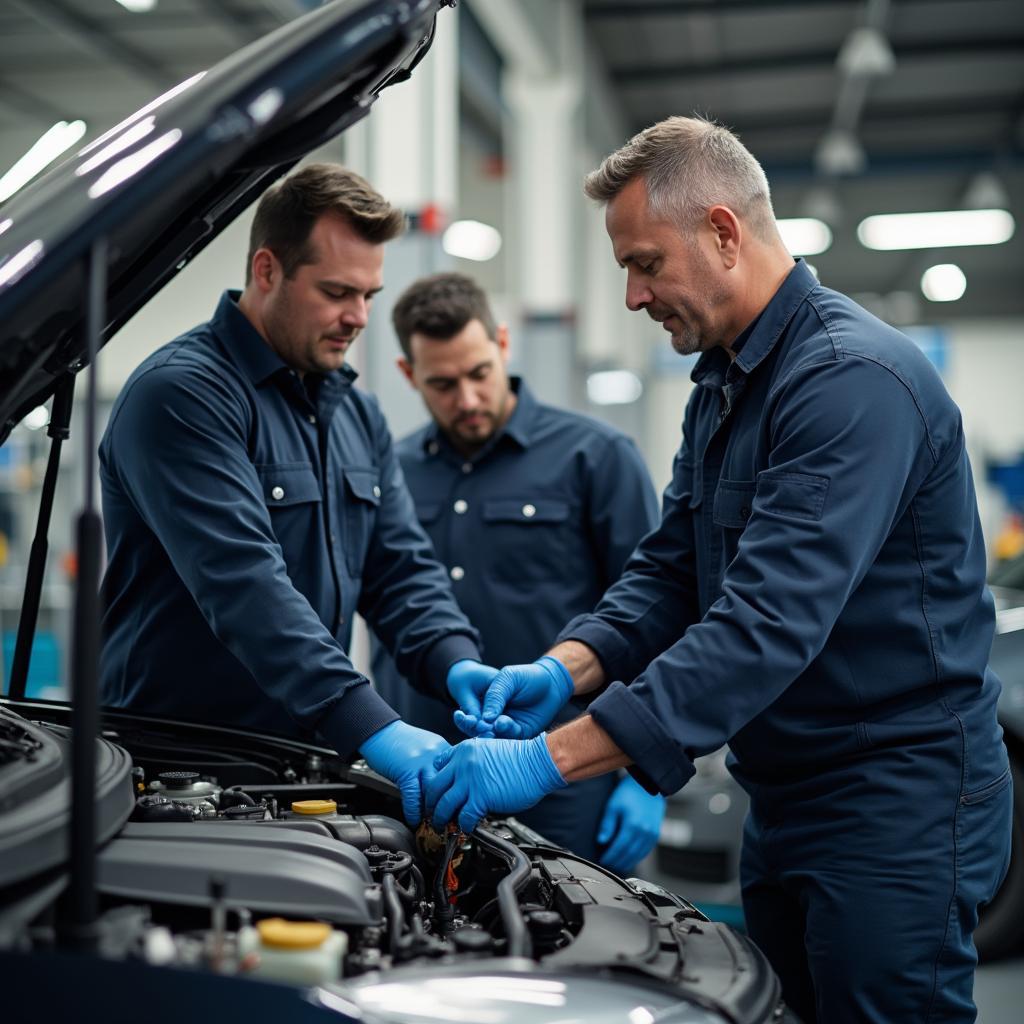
{"x":534,"y":510}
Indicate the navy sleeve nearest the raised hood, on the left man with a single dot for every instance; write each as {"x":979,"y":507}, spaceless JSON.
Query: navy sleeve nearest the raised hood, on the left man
{"x":188,"y":474}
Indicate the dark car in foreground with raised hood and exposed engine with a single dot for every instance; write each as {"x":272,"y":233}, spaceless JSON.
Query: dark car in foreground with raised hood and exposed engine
{"x":163,"y":871}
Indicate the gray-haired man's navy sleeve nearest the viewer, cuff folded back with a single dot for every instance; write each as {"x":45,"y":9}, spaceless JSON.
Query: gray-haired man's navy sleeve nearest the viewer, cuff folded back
{"x":849,"y":449}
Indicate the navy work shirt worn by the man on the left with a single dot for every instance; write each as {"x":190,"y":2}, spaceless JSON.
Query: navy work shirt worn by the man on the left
{"x":248,"y":518}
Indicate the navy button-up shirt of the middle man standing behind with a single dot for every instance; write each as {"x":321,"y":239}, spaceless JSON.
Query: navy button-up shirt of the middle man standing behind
{"x":533,"y":529}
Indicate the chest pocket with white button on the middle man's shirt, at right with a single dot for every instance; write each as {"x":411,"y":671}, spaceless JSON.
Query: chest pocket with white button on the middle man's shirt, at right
{"x":527,"y":540}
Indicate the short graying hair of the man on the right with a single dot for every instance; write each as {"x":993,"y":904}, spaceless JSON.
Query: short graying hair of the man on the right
{"x":689,"y":166}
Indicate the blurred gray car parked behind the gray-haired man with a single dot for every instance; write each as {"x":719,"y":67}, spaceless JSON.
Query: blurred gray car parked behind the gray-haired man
{"x":699,"y":847}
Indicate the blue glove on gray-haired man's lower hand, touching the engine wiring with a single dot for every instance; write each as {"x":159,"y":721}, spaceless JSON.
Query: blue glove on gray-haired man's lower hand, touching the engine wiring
{"x":482,"y":776}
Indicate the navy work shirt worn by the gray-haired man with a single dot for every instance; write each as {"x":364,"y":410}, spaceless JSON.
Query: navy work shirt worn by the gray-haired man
{"x":817,"y":588}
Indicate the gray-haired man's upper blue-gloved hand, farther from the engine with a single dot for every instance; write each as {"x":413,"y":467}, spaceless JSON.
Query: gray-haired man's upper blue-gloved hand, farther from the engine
{"x":522,"y":701}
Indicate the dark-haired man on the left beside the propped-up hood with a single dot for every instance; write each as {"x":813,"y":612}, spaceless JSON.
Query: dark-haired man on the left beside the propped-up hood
{"x":253,"y":504}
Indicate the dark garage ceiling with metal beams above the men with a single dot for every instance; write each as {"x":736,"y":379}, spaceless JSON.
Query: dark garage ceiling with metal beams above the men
{"x":951,"y":108}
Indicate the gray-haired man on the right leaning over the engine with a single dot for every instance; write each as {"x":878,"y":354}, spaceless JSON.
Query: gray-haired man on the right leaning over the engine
{"x":816,"y":595}
